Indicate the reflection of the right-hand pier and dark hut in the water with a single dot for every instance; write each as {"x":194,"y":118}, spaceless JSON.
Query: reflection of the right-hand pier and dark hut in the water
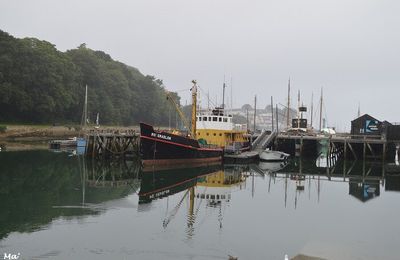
{"x":364,"y":178}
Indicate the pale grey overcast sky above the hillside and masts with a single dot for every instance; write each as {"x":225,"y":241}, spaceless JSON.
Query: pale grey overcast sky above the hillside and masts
{"x":351,"y":48}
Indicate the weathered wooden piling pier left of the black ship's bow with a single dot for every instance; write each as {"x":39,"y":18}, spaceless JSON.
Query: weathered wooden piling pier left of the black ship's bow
{"x":112,"y":144}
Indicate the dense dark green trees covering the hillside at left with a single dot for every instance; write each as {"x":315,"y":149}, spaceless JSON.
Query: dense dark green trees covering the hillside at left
{"x":39,"y":84}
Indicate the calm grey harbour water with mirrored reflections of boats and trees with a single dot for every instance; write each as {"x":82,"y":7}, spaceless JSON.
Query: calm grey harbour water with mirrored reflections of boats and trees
{"x":59,"y":206}
